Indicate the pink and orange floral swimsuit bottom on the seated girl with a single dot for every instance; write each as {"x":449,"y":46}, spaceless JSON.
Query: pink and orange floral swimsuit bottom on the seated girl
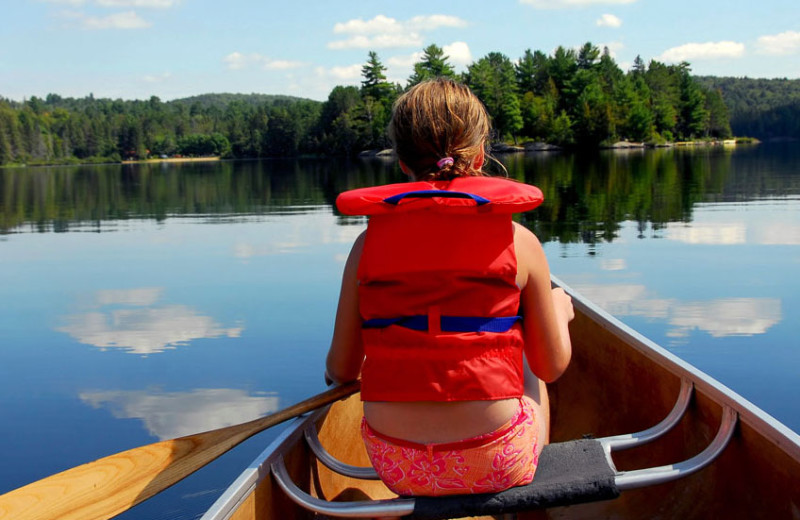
{"x":488,"y":463}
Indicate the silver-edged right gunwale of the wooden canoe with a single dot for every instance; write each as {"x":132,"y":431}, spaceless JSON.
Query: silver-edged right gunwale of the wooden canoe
{"x":749,"y":414}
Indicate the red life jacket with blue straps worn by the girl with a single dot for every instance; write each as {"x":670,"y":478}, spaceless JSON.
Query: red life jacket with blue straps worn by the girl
{"x":437,"y":289}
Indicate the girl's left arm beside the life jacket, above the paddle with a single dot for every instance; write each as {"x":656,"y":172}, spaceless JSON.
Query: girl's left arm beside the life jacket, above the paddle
{"x":347,"y":352}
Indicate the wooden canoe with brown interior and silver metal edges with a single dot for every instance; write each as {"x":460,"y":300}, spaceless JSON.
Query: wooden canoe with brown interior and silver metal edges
{"x":618,"y":383}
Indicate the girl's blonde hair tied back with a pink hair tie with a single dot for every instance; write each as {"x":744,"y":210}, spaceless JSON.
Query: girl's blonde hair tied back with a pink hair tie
{"x":435,"y":120}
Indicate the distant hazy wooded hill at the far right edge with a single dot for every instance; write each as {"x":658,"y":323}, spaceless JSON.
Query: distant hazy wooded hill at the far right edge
{"x":762,"y":108}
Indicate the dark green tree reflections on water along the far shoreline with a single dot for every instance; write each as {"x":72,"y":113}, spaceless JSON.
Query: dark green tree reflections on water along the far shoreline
{"x":587,"y":196}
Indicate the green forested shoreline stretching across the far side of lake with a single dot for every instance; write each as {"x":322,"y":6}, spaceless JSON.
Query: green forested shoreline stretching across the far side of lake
{"x":571,"y":98}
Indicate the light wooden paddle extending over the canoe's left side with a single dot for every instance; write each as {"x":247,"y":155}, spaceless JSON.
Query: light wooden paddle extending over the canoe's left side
{"x":106,"y":487}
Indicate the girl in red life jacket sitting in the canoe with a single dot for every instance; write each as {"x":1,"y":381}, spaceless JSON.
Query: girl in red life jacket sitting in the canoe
{"x":442,"y":298}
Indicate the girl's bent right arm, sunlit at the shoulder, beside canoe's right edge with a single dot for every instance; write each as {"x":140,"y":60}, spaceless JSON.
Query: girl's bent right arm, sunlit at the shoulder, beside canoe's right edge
{"x":546,"y":312}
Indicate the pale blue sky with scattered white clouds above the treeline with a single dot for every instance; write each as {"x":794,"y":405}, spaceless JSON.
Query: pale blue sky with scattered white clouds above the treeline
{"x":133,"y":49}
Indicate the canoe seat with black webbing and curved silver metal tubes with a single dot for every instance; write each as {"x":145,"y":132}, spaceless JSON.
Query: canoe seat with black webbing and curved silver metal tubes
{"x":570,"y":472}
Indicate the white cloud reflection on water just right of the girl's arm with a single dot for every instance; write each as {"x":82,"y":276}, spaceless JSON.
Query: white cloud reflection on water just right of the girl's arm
{"x":722,"y":317}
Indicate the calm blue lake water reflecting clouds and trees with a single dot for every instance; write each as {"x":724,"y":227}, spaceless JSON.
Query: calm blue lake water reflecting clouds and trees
{"x":140,"y":303}
